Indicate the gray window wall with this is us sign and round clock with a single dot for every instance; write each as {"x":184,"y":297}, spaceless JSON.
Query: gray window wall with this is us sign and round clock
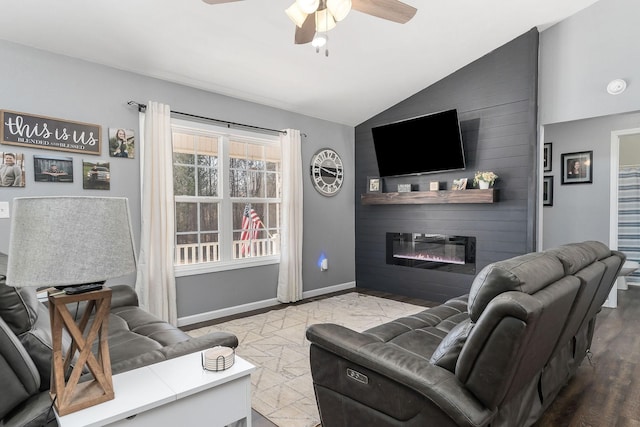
{"x":36,"y":82}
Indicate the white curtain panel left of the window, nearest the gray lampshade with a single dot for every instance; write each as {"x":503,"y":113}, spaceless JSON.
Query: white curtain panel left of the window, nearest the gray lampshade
{"x":155,"y":284}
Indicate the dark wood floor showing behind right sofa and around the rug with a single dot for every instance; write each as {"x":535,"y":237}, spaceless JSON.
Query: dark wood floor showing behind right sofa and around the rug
{"x":603,"y":393}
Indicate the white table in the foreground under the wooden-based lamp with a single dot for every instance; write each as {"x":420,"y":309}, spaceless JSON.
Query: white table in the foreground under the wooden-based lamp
{"x":174,"y":392}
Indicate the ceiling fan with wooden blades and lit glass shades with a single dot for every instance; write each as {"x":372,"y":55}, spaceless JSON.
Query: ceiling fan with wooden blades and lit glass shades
{"x":315,"y":17}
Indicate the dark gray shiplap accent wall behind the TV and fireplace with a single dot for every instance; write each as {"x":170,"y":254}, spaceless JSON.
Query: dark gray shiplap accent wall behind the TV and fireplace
{"x":496,"y":98}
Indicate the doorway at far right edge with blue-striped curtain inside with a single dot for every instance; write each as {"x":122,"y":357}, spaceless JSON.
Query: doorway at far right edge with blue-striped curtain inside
{"x":624,"y":233}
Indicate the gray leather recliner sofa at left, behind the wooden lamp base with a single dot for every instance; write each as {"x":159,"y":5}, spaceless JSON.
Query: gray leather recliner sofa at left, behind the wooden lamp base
{"x":135,"y":338}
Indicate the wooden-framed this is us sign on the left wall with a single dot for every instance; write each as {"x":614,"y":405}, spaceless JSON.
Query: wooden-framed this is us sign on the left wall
{"x":30,"y":130}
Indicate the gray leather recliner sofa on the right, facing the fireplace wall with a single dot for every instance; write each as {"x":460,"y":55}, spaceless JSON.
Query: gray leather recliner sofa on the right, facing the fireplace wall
{"x":495,"y":357}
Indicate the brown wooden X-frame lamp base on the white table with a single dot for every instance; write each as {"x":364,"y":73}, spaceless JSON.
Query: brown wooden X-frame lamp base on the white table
{"x":69,"y":395}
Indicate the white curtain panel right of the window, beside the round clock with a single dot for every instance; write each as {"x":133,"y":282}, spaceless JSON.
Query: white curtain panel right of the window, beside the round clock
{"x":290,"y":275}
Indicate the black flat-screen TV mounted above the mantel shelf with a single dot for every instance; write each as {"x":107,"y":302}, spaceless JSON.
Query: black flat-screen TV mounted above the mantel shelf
{"x":425,"y":144}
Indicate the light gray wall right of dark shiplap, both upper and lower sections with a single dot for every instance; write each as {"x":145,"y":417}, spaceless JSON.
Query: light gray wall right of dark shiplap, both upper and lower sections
{"x":578,"y":57}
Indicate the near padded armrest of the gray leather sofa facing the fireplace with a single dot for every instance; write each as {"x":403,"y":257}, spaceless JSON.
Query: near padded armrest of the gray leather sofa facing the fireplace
{"x":439,"y":386}
